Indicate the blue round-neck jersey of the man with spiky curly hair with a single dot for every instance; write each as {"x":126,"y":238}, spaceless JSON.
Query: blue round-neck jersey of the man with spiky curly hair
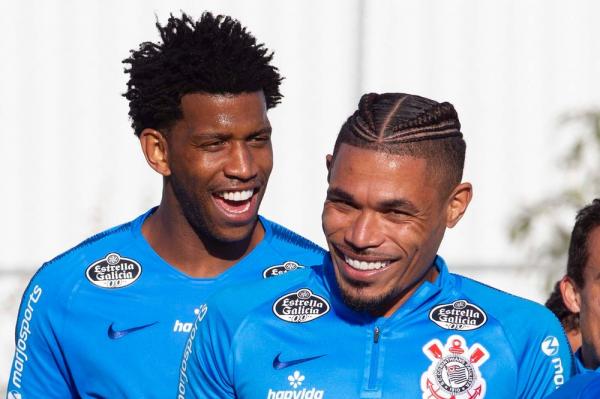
{"x":110,"y":318}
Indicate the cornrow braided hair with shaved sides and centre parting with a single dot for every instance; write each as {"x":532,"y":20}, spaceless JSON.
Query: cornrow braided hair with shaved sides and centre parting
{"x":409,"y":125}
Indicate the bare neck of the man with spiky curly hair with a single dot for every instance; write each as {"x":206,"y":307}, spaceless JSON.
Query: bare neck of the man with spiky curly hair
{"x":172,"y":237}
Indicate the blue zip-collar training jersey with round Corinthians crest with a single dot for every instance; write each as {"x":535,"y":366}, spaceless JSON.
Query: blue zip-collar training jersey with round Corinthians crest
{"x":294,"y":338}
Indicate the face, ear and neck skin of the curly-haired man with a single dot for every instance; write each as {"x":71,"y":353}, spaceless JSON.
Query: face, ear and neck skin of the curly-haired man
{"x":220,"y":148}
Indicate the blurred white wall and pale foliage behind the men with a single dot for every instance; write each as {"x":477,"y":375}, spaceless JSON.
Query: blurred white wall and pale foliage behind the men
{"x":523,"y":75}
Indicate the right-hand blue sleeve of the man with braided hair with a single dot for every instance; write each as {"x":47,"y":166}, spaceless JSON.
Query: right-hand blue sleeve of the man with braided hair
{"x":546,"y":363}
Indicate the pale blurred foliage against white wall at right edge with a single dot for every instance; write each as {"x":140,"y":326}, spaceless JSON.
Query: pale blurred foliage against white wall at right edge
{"x":544,"y":226}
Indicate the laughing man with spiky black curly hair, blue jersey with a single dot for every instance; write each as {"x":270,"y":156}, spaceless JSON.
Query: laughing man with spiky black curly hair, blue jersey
{"x":110,"y":317}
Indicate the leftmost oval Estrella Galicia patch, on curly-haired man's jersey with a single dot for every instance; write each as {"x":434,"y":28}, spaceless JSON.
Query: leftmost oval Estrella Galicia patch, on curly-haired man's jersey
{"x":114,"y":271}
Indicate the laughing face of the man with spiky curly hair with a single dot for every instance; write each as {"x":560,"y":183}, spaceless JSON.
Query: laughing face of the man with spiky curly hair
{"x":220,"y":159}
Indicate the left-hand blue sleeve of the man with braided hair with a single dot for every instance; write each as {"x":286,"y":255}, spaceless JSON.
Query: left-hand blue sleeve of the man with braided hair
{"x":206,"y":365}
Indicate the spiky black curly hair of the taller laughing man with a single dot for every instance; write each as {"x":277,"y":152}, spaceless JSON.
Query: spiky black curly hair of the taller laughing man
{"x":214,"y":55}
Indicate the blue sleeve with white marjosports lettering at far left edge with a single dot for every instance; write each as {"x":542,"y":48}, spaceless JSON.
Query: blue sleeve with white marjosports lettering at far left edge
{"x":38,"y":368}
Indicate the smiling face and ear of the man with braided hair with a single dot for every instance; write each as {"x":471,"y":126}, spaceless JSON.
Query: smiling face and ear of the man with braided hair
{"x":384,"y":219}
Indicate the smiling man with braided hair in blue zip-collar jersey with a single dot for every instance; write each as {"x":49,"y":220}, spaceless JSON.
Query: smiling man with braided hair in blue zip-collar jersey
{"x":382,"y":317}
